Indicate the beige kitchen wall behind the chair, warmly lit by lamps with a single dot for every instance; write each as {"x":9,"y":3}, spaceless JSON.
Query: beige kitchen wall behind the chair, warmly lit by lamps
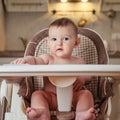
{"x":27,"y":24}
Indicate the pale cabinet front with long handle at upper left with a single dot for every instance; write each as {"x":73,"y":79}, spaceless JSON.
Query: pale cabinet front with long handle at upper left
{"x":26,"y":5}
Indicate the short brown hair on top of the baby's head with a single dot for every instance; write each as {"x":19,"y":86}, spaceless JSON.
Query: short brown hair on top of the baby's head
{"x":62,"y":22}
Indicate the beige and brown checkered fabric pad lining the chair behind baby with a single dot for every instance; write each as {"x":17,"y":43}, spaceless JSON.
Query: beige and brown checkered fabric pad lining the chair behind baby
{"x":86,"y":50}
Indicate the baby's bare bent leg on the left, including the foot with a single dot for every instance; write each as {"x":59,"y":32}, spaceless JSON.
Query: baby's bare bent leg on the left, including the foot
{"x":39,"y":109}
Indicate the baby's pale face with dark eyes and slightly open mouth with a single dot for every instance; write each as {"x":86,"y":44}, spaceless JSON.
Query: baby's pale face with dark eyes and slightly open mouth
{"x":62,"y":40}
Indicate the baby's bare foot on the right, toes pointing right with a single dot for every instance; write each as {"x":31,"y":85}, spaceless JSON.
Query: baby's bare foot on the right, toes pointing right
{"x":90,"y":114}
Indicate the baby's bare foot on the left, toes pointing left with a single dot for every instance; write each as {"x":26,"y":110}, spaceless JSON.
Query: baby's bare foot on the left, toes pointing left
{"x":37,"y":114}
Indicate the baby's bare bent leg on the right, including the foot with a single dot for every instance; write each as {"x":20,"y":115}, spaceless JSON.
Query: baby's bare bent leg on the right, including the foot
{"x":85,"y":106}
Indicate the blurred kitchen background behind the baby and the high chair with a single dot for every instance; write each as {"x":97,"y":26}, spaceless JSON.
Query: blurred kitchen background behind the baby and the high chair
{"x":21,"y":19}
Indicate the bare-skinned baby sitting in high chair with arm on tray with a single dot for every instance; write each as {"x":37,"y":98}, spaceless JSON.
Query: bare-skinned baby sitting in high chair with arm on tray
{"x":62,"y":38}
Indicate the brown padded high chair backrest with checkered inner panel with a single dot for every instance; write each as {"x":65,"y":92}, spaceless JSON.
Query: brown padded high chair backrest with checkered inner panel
{"x":91,"y":49}
